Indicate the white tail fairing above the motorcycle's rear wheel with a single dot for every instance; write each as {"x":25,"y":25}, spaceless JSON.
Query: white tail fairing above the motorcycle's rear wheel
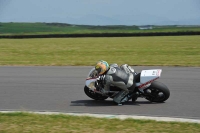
{"x":149,"y":75}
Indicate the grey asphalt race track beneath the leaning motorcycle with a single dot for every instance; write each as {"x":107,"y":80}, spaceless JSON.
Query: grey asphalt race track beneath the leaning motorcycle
{"x":60,"y":89}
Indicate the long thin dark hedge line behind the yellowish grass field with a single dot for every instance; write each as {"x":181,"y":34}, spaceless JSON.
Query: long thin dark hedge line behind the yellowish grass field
{"x":101,"y":35}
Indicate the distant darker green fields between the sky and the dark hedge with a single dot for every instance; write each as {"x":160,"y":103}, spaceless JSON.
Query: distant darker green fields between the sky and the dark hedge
{"x":59,"y":28}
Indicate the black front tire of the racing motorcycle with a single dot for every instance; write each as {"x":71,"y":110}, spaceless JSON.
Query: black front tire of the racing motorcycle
{"x":94,"y":95}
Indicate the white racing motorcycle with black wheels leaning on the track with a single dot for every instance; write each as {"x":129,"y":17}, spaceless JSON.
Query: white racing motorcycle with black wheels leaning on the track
{"x":145,"y":86}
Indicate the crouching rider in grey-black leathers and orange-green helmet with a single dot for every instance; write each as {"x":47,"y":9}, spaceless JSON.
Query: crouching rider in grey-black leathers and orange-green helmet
{"x":122,"y":77}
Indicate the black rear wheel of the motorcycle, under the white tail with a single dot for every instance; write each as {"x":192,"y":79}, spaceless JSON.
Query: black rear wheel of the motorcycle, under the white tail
{"x":157,"y":92}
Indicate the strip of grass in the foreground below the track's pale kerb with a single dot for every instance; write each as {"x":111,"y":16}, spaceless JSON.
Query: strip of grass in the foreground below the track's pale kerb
{"x":34,"y":123}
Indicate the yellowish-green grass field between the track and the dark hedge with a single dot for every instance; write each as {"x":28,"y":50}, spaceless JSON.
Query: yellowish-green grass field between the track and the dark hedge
{"x":148,"y":51}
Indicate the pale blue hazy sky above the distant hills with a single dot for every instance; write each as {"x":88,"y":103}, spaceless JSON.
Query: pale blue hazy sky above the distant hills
{"x":102,"y":12}
